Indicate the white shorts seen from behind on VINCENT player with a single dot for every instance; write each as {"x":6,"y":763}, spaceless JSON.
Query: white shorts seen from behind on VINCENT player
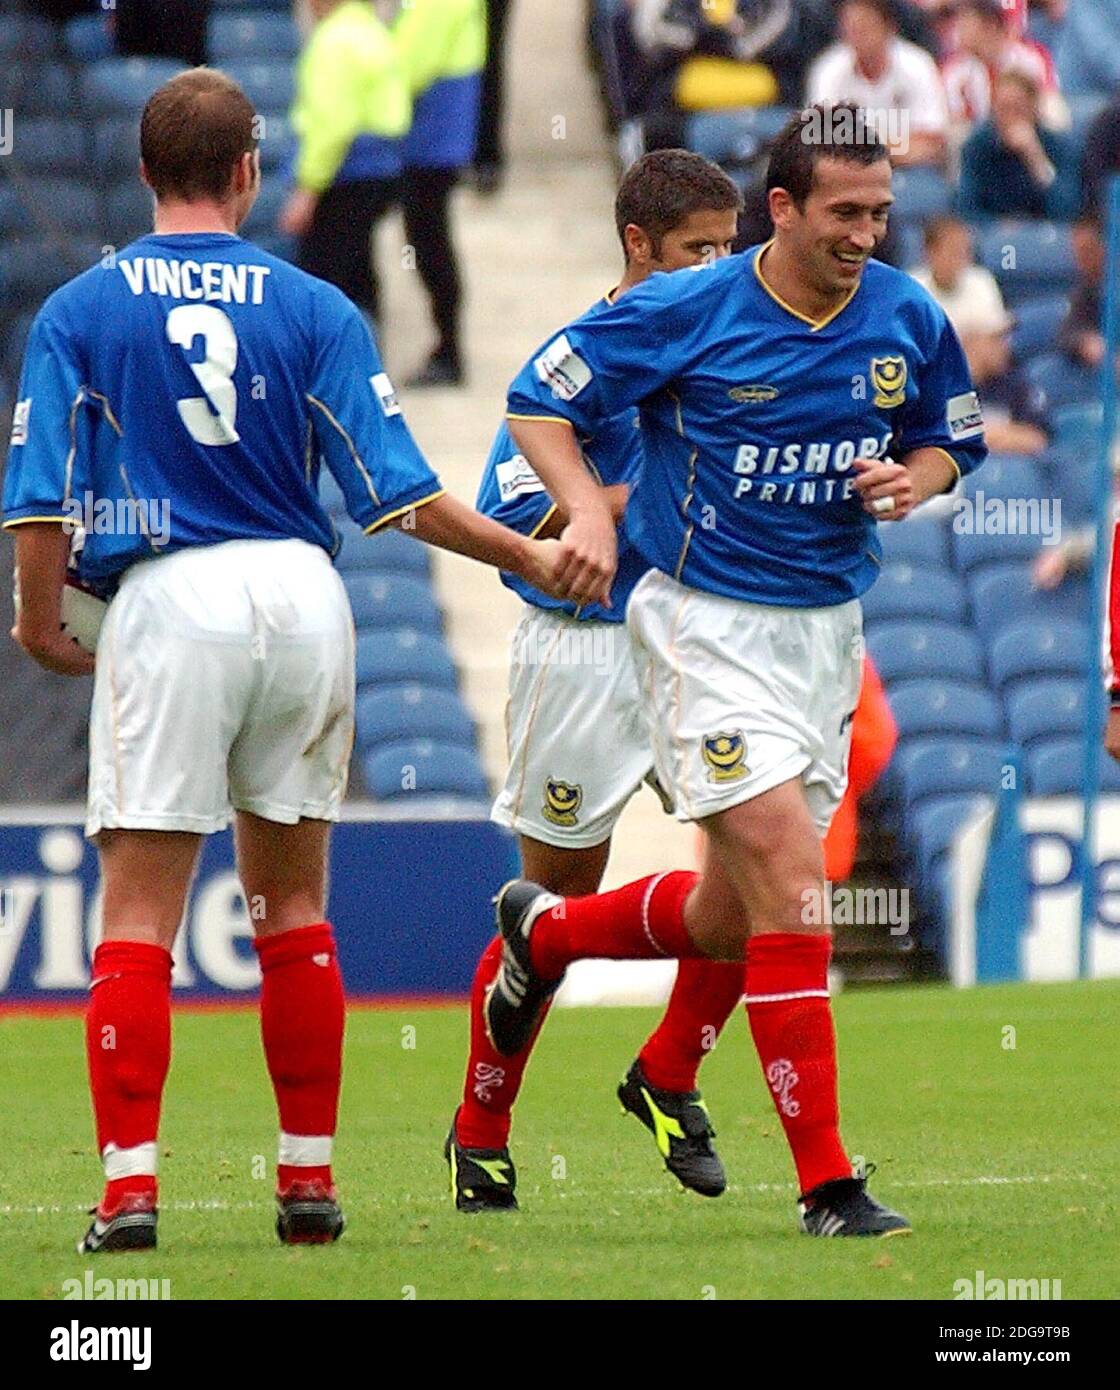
{"x":224,"y":680}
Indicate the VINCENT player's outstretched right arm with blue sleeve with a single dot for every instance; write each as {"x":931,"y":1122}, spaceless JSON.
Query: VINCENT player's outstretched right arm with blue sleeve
{"x":384,"y":477}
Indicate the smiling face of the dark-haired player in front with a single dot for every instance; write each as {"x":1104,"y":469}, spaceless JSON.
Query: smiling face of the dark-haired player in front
{"x":839,"y":227}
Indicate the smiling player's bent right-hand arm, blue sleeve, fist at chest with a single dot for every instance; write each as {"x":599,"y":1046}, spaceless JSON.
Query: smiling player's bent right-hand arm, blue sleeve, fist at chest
{"x":940,"y":436}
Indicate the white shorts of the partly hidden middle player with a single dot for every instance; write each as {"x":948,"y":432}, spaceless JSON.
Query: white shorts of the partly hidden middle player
{"x":576,"y":730}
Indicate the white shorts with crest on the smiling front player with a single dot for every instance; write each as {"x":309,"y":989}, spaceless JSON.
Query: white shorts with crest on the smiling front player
{"x":744,"y":697}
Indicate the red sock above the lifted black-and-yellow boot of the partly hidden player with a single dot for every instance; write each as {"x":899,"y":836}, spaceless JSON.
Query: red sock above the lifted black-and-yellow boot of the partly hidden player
{"x":702,"y":1000}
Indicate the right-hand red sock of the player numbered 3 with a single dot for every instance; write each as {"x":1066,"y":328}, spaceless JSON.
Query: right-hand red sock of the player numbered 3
{"x":302,"y":1022}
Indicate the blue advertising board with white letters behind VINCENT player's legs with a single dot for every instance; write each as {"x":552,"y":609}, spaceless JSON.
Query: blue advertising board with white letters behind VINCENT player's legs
{"x":411,"y":903}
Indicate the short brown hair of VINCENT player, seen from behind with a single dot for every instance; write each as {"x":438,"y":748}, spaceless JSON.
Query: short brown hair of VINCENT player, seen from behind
{"x":194,"y":131}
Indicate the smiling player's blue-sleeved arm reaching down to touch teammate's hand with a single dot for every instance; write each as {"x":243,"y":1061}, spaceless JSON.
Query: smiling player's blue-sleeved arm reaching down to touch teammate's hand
{"x":602,"y":365}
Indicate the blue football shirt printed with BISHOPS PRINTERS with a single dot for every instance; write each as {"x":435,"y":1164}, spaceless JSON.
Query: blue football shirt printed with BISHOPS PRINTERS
{"x":752,"y":415}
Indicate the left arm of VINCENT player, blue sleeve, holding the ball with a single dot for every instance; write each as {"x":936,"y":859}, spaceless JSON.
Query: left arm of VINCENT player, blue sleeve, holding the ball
{"x":37,"y":493}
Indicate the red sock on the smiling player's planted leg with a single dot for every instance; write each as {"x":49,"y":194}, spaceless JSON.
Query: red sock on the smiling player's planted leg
{"x":791,"y":1022}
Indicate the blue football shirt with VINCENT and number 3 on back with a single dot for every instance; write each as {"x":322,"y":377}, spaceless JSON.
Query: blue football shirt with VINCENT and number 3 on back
{"x":202,"y":382}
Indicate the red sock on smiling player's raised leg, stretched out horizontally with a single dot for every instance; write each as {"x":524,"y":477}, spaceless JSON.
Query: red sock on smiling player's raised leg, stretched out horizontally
{"x":641,"y":922}
